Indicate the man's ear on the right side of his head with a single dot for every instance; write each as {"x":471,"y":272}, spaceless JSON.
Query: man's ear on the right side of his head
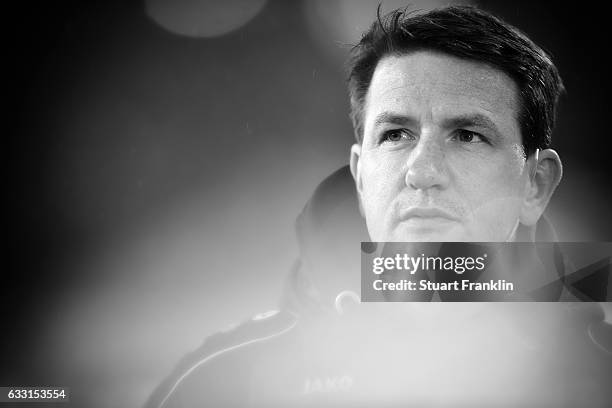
{"x":546,"y":172}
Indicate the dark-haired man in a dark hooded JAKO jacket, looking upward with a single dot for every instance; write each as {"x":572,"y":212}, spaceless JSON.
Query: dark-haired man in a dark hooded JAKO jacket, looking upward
{"x":453,"y":113}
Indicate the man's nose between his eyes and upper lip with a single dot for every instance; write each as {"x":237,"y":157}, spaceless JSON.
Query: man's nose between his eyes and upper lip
{"x":426,"y":165}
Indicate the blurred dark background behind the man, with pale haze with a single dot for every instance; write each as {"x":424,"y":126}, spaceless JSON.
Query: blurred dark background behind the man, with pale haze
{"x":157,"y":153}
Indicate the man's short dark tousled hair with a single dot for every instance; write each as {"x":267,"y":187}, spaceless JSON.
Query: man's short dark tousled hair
{"x":470,"y":33}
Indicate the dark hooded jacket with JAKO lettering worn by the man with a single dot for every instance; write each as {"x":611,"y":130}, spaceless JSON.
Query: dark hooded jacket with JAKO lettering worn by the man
{"x":317,"y":351}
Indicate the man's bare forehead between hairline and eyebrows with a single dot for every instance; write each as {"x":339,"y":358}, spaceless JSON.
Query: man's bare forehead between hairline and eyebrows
{"x":438,"y":86}
